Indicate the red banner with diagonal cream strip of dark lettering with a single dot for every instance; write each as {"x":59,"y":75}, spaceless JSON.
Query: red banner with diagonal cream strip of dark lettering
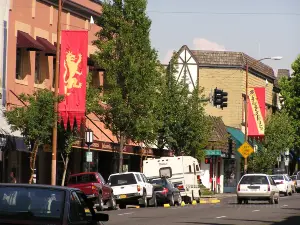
{"x":256,"y":112}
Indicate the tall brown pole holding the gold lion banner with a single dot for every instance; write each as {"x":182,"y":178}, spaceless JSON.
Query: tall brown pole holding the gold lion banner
{"x":54,"y":134}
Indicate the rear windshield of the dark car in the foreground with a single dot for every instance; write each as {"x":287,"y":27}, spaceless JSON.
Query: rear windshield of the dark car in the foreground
{"x":31,"y":202}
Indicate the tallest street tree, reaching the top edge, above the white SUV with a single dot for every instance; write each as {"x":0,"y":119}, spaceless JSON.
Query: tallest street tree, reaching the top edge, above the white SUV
{"x":131,"y":74}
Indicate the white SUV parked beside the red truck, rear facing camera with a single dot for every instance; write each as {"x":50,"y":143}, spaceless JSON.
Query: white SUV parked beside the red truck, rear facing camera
{"x":132,"y":188}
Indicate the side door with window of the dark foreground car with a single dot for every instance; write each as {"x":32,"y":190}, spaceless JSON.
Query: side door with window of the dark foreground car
{"x":79,"y":212}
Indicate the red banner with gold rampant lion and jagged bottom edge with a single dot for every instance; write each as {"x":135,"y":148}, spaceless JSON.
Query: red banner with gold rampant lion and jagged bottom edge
{"x":73,"y":73}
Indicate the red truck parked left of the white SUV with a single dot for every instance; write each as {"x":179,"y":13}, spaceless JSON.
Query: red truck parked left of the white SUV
{"x":94,"y":186}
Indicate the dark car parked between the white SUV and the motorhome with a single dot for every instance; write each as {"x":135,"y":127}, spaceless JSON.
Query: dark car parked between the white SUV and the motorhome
{"x":166,"y":192}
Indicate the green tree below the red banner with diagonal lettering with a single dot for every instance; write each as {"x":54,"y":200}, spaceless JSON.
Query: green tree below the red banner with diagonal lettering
{"x":279,"y":135}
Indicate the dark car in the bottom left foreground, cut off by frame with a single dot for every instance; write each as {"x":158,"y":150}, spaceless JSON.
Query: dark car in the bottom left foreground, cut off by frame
{"x":45,"y":204}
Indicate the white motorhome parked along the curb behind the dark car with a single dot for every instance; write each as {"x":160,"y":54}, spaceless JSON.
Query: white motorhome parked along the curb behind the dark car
{"x":185,"y":174}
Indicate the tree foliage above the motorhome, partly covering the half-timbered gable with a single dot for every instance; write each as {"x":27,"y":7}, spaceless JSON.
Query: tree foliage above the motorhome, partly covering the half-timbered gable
{"x":184,"y":127}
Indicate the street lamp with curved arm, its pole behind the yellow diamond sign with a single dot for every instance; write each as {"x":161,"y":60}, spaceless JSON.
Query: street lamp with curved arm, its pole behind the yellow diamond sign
{"x":246,"y":104}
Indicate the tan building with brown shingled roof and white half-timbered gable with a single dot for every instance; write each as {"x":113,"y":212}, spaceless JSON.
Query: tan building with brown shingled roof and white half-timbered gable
{"x":227,"y":71}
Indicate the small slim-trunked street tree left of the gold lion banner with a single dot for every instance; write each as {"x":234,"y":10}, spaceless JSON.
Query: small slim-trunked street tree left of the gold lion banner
{"x":34,"y":121}
